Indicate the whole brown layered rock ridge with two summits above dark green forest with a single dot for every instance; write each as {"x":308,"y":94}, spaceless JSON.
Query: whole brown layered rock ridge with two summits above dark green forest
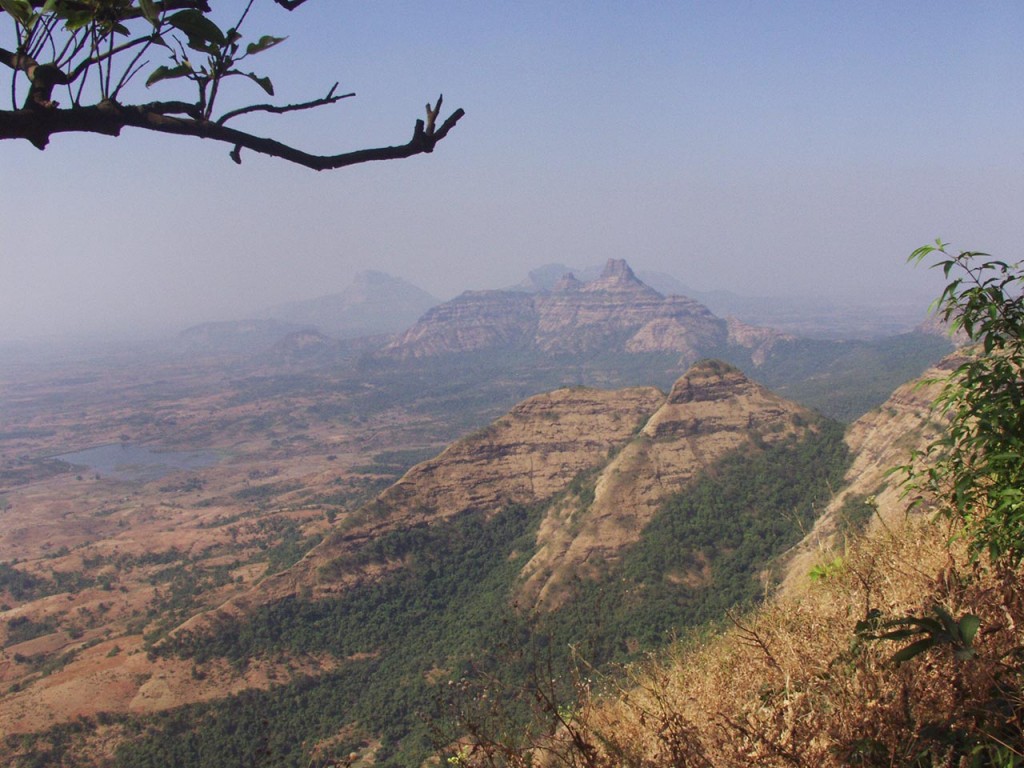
{"x":629,"y":449}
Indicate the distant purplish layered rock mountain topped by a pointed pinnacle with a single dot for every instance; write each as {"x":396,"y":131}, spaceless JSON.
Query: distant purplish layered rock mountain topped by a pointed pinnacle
{"x":617,"y":313}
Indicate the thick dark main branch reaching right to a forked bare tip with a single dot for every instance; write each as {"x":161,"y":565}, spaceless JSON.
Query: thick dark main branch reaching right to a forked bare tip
{"x":109,"y":118}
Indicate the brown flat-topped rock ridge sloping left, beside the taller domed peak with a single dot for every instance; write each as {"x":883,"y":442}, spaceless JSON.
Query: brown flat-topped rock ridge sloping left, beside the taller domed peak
{"x":527,"y":456}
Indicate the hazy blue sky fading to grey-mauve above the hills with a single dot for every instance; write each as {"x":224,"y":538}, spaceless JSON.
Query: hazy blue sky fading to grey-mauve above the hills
{"x":769,"y":148}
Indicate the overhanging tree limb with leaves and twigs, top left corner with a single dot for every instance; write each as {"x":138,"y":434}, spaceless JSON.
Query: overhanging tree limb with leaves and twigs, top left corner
{"x":88,"y":52}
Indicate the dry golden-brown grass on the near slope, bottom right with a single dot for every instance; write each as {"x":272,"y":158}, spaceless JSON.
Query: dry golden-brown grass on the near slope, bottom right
{"x":791,"y":686}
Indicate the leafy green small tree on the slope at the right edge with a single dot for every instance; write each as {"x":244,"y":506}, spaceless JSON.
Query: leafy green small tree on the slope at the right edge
{"x":976,"y":468}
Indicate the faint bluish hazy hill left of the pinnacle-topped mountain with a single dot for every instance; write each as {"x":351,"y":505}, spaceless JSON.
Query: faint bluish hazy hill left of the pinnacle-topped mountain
{"x":374,"y":304}
